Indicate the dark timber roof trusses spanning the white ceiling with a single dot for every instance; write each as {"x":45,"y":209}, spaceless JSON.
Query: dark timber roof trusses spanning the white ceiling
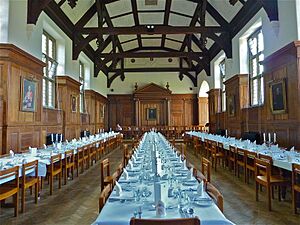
{"x":112,"y":63}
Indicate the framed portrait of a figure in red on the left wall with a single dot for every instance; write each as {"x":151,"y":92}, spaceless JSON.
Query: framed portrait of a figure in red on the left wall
{"x":28,"y":94}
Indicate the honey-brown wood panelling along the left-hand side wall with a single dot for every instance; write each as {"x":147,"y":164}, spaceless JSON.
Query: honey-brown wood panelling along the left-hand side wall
{"x":20,"y":129}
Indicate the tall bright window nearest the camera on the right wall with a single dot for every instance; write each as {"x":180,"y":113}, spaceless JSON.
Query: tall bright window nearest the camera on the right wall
{"x":256,"y":56}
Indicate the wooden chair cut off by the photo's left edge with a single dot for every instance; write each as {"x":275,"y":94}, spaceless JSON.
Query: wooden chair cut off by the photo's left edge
{"x":11,"y":189}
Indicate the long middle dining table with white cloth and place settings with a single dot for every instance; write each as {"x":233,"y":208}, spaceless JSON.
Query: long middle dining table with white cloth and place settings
{"x":138,"y":192}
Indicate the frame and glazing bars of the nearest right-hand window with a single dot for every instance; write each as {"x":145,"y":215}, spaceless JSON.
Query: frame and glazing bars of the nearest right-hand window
{"x":260,"y":75}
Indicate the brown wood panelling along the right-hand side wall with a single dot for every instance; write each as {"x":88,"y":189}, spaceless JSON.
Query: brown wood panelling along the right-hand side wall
{"x":282,"y":65}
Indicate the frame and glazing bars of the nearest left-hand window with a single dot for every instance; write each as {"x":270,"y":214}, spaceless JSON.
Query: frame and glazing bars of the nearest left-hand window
{"x":47,"y":80}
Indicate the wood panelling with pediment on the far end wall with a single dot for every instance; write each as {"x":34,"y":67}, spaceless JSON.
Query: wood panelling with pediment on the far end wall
{"x":172,"y":109}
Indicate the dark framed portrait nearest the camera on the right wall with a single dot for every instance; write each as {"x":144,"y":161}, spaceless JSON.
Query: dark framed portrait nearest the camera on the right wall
{"x":278,"y":96}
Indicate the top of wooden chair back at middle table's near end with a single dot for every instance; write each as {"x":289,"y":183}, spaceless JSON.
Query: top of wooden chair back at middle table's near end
{"x":179,"y":221}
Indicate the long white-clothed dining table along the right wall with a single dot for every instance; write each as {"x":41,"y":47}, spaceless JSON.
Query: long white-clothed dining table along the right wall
{"x":281,"y":158}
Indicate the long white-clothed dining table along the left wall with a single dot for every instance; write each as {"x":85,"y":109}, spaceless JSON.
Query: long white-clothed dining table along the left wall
{"x":44,"y":155}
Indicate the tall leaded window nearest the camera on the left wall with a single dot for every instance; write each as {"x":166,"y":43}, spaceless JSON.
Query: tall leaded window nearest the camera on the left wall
{"x":49,"y":56}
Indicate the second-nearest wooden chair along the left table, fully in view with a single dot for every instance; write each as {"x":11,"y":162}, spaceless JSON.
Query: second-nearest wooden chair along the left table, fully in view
{"x":28,"y":181}
